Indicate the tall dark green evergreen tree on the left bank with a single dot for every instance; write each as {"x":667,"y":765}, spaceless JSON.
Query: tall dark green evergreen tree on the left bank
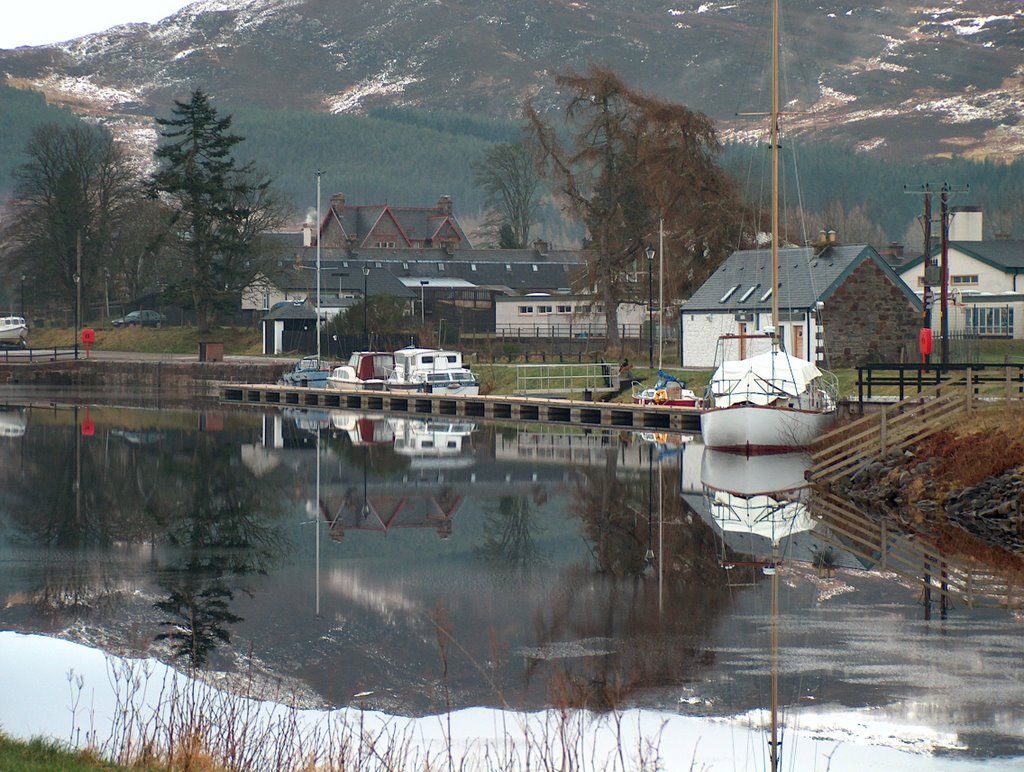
{"x":221,"y":209}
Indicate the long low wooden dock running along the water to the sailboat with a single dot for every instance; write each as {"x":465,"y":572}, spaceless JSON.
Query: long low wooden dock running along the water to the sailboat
{"x":523,"y":409}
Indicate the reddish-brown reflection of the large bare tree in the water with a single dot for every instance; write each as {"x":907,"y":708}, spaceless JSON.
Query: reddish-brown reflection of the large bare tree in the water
{"x":627,"y":638}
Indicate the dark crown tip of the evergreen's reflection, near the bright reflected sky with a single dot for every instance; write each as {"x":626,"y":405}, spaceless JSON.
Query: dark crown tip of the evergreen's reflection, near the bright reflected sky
{"x":199,"y":618}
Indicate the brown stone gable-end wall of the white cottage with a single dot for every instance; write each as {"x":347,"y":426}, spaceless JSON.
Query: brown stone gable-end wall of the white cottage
{"x":869,"y":319}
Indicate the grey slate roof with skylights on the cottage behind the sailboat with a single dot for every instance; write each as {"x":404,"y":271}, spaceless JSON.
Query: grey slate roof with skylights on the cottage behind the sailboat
{"x":805,"y":276}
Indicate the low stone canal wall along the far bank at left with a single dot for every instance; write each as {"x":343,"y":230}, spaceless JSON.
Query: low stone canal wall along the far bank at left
{"x":184,"y":377}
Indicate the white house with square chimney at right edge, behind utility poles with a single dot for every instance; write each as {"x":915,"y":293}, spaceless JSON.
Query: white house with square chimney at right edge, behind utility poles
{"x":986,"y":288}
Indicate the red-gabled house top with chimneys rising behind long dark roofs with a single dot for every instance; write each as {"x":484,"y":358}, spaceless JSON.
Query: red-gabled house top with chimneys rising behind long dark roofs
{"x":388,"y":227}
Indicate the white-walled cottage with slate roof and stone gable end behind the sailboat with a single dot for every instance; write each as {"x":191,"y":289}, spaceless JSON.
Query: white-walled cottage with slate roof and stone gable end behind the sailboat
{"x":840,"y":306}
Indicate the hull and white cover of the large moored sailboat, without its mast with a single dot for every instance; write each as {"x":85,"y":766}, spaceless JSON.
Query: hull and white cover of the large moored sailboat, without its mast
{"x":770,"y":403}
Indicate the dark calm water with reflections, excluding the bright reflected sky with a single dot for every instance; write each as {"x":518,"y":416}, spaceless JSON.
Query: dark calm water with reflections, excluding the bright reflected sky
{"x":355,"y":560}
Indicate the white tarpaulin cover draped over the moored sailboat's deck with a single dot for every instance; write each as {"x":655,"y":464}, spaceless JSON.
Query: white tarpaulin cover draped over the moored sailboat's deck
{"x":762,"y":379}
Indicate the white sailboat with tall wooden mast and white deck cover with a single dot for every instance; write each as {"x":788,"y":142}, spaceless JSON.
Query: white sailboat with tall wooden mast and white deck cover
{"x":772,"y":402}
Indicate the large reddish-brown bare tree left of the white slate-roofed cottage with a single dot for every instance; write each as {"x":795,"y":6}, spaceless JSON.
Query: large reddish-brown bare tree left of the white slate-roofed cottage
{"x":633,"y":160}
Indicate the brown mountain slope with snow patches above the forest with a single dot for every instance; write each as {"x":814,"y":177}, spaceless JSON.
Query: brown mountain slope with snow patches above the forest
{"x":918,"y":78}
